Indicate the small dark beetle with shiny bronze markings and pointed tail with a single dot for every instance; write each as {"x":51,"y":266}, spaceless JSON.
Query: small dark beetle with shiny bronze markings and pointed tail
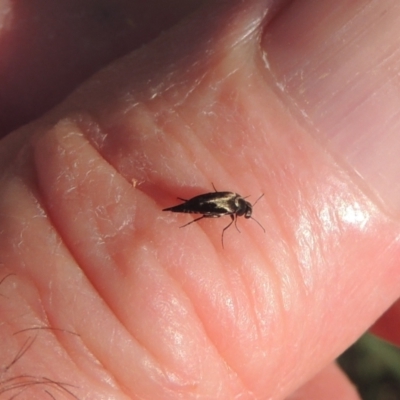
{"x":215,"y":205}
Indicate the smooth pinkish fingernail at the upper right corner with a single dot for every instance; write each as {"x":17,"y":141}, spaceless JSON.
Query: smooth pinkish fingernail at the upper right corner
{"x":340,"y":64}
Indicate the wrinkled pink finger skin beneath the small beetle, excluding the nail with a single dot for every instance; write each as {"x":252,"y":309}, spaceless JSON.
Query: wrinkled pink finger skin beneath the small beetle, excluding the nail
{"x":163,"y":312}
